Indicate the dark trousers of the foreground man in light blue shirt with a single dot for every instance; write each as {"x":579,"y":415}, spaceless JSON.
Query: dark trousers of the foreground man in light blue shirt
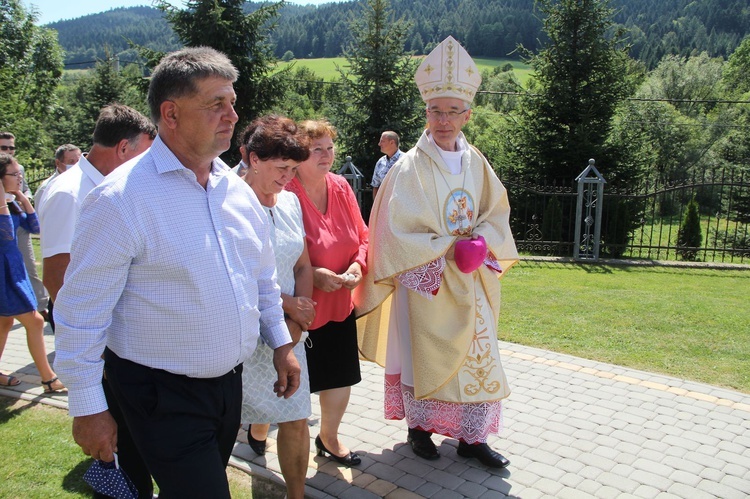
{"x":184,"y":428}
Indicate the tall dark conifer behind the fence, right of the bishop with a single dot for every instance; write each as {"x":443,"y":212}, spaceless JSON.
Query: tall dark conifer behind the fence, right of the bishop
{"x":580,"y":76}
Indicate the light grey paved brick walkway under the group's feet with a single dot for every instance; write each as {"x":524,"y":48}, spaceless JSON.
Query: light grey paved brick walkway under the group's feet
{"x":573,"y":429}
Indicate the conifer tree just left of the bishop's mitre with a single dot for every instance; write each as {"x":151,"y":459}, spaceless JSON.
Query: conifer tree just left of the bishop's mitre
{"x":377,"y":86}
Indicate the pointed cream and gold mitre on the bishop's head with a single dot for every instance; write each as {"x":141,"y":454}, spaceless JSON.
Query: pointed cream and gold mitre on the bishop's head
{"x":448,"y":71}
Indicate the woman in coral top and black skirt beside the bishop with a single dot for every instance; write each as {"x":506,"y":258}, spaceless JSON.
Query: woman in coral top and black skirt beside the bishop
{"x":337,"y":239}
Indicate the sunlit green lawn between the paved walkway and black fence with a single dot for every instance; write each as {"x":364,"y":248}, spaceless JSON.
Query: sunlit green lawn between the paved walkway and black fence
{"x":684,"y":322}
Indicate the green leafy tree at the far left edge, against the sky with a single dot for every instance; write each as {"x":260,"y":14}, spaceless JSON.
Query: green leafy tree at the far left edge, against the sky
{"x":30,"y":68}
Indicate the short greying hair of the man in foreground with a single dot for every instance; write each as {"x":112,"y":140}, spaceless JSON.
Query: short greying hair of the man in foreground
{"x":178,"y":72}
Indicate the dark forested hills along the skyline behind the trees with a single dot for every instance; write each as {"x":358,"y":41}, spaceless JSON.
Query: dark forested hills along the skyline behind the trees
{"x":489,"y":28}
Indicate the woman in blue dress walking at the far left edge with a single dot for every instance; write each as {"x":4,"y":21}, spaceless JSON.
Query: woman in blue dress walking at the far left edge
{"x":17,"y":298}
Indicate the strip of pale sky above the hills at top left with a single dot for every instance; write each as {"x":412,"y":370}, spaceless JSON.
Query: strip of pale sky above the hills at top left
{"x":55,"y":10}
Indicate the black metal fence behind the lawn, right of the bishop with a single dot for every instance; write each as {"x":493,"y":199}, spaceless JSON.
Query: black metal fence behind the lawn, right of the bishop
{"x":643,"y":221}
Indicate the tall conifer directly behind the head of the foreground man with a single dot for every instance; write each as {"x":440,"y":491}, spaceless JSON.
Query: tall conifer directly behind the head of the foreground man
{"x":224,"y":25}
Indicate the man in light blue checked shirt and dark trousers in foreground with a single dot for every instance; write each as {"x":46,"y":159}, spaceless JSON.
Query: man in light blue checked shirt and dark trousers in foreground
{"x":171,"y":273}
